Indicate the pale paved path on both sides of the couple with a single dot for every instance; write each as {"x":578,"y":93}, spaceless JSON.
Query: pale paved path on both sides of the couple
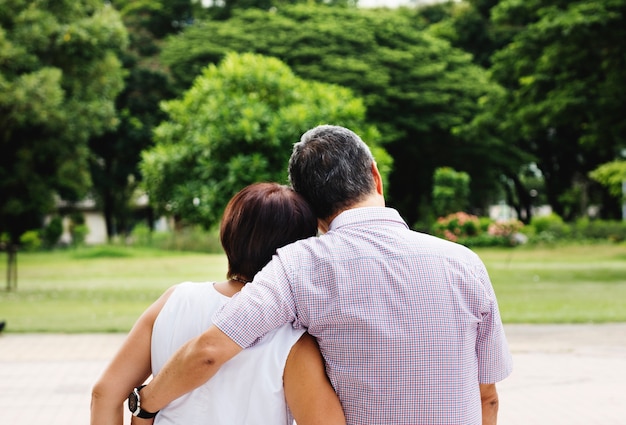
{"x":564,"y":374}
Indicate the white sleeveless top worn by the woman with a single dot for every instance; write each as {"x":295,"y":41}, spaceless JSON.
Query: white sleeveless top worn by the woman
{"x":248,"y":389}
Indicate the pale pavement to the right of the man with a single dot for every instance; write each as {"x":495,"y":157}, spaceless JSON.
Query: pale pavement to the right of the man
{"x":565,"y":374}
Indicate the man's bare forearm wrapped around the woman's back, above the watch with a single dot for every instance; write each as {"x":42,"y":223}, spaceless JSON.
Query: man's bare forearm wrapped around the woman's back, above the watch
{"x":191,"y":366}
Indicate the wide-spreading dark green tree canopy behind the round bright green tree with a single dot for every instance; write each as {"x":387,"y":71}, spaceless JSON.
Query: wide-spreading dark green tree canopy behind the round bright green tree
{"x":417,"y":88}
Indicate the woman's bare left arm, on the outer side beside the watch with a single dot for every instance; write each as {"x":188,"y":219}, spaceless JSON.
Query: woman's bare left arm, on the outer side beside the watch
{"x":130,"y":367}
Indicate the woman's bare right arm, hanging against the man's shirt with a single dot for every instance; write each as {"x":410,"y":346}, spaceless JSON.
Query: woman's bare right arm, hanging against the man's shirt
{"x":309,"y":393}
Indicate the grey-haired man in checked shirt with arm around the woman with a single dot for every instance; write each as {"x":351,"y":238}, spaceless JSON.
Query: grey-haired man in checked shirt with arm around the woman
{"x":408,"y":324}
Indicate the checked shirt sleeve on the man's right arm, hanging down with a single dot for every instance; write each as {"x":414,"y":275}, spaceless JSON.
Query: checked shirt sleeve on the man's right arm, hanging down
{"x":494,"y":358}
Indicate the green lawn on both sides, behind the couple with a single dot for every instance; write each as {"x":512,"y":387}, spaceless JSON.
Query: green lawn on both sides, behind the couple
{"x":104,"y":289}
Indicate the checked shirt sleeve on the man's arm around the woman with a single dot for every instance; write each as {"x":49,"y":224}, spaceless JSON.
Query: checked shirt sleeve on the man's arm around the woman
{"x":262,"y":305}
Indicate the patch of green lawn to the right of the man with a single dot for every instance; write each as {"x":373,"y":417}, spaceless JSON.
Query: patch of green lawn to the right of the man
{"x":560,"y":284}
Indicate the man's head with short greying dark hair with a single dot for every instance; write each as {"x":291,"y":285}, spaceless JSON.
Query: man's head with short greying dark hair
{"x":332,"y":168}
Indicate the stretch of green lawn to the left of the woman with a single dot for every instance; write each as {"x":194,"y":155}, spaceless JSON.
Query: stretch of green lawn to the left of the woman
{"x":97,"y":289}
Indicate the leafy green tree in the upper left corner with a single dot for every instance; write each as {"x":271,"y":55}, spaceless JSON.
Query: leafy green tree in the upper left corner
{"x":59,"y":76}
